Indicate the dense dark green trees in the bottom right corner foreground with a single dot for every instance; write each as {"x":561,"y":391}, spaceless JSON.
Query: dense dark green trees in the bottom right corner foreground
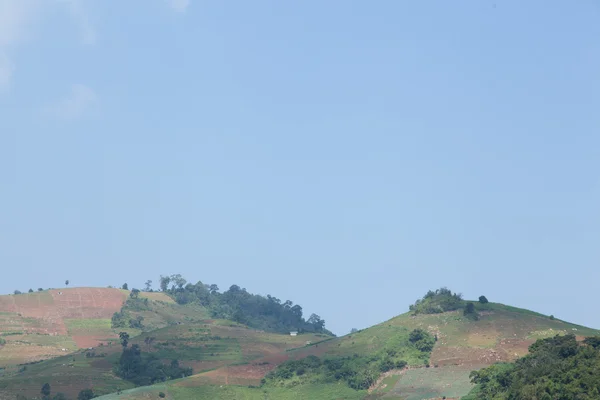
{"x":556,"y":368}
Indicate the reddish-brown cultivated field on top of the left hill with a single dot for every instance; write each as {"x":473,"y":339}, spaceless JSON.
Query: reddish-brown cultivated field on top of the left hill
{"x":42,"y":325}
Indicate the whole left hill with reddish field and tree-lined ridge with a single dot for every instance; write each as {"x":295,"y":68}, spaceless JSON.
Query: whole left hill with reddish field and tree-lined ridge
{"x":71,"y":337}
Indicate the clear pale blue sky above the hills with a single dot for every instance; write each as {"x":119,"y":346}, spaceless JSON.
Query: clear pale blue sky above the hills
{"x":346,"y":155}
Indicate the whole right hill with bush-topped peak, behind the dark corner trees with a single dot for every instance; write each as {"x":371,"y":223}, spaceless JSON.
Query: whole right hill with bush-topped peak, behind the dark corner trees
{"x":467,"y":338}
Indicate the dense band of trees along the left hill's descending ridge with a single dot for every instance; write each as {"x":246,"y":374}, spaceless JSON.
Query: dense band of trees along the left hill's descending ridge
{"x":236,"y":304}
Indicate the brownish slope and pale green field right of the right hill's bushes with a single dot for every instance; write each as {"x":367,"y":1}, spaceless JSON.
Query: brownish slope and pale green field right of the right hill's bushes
{"x":503,"y":333}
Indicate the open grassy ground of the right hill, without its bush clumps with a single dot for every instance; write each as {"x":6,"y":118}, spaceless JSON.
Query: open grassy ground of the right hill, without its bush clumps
{"x":502,"y":333}
